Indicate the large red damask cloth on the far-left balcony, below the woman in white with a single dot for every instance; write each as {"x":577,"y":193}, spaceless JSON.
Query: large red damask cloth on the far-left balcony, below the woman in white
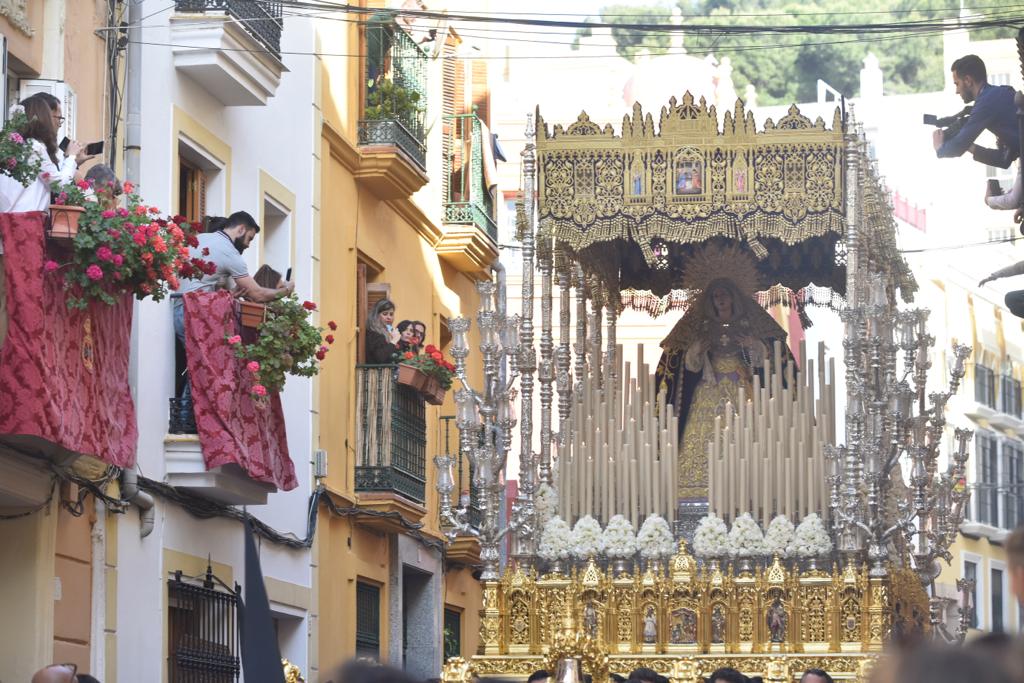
{"x":64,"y":373}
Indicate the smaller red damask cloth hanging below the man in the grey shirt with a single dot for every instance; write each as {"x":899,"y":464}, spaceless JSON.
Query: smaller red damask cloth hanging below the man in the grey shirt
{"x":233,"y":426}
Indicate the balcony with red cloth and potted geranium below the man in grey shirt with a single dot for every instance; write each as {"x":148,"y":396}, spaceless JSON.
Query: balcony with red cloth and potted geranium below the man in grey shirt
{"x":239,"y":357}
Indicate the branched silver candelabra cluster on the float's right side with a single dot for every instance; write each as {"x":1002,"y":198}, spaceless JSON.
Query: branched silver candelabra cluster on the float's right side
{"x":888,"y":495}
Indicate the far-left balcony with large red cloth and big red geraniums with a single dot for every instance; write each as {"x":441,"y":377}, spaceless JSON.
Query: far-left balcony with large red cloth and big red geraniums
{"x":64,"y":361}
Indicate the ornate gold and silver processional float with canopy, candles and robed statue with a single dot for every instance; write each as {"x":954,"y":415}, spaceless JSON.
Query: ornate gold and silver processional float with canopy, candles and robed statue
{"x":622,"y":552}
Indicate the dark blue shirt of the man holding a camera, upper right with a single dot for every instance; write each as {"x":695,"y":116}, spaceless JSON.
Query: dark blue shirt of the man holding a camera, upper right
{"x":995,"y":111}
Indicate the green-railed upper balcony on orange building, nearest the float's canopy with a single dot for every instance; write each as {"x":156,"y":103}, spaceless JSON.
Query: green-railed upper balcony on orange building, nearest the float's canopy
{"x":471,"y":235}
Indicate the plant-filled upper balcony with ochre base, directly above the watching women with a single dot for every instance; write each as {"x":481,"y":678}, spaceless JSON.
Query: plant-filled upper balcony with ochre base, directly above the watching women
{"x":393,"y":132}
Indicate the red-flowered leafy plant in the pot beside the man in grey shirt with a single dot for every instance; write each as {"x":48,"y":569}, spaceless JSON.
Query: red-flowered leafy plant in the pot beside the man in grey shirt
{"x":287,"y":344}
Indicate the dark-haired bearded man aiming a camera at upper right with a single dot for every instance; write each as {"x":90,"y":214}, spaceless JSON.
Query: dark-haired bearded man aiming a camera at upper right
{"x":994,"y":110}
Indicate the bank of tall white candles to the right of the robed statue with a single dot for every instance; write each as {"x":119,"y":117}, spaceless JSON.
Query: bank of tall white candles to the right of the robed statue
{"x":767,"y":456}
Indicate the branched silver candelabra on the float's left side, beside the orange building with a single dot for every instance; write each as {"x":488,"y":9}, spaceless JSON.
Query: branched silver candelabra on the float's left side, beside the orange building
{"x":485,"y":418}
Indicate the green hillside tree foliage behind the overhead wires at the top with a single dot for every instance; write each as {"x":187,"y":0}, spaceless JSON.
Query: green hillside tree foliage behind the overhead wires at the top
{"x":786,"y":68}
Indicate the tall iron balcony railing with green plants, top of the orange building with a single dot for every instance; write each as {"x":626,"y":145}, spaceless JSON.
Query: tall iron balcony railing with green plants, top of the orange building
{"x":396,"y":96}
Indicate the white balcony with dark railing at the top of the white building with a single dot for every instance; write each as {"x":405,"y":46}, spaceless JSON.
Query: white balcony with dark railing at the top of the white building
{"x":234,"y":48}
